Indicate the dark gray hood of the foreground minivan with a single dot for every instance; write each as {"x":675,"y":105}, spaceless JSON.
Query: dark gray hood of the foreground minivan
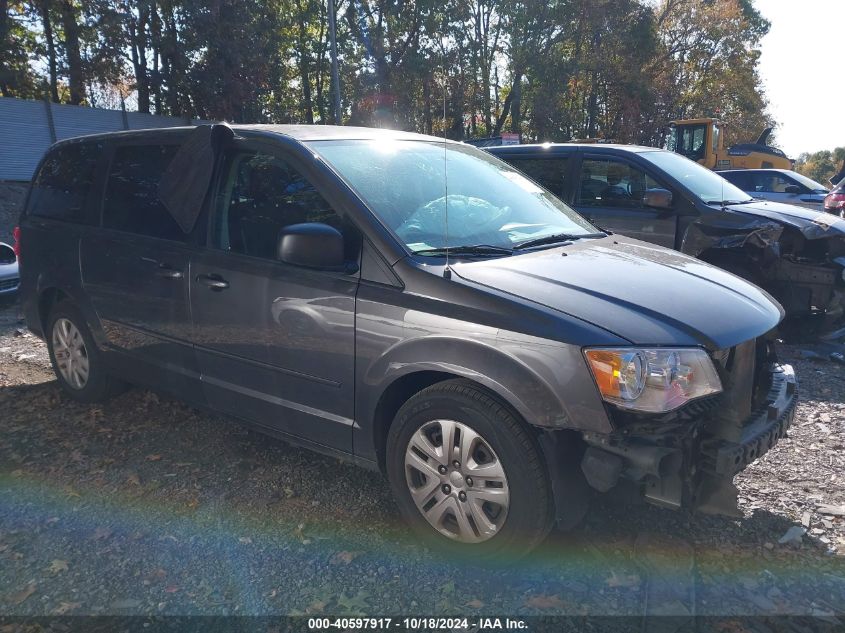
{"x":643,"y":293}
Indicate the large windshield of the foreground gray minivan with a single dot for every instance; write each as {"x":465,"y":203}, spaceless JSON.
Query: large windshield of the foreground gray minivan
{"x":404,"y":182}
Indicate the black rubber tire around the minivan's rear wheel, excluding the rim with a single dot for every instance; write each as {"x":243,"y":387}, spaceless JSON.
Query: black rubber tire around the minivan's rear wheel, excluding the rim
{"x":100,"y":385}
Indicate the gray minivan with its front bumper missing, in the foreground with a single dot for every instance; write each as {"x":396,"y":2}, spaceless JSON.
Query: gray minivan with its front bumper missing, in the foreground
{"x":414,"y":305}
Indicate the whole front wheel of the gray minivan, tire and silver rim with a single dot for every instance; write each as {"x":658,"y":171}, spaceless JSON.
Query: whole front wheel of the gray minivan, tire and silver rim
{"x":467,"y":475}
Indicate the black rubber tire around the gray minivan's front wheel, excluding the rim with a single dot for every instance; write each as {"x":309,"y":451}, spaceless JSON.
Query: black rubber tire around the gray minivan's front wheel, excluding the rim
{"x":531,"y":508}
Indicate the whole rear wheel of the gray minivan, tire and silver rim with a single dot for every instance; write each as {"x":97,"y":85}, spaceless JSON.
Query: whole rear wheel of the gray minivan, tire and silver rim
{"x":77,"y":362}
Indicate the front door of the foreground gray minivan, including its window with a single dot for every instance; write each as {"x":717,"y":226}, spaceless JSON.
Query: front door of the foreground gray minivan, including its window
{"x":275,"y":342}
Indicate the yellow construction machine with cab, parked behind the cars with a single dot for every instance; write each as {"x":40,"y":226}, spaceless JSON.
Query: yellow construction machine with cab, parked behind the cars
{"x":703,"y":140}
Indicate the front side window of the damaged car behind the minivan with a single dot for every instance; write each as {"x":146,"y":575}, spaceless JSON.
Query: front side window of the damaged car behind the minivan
{"x":613,"y":183}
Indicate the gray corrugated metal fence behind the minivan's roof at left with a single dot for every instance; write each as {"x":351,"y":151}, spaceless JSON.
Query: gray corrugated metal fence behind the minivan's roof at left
{"x":28,"y":128}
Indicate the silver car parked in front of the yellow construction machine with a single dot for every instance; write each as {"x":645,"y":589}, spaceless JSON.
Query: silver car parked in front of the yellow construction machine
{"x":779,"y":185}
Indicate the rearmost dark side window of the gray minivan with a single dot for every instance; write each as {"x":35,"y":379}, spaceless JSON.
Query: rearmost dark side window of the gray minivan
{"x":61,"y":188}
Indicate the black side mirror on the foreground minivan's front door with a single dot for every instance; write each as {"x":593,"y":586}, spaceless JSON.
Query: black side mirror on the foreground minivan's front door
{"x":312,"y":245}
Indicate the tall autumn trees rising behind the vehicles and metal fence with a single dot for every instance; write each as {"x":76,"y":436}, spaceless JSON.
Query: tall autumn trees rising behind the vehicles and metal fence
{"x":548,"y":69}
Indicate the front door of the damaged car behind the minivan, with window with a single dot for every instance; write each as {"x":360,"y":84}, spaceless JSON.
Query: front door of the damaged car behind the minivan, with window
{"x":610,"y":193}
